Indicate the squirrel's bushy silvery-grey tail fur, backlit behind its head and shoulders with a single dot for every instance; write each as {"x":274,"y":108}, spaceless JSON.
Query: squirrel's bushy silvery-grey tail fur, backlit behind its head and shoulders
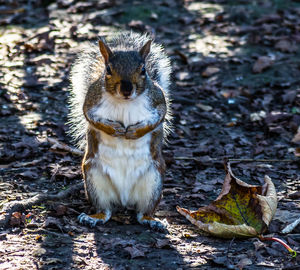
{"x":89,"y":67}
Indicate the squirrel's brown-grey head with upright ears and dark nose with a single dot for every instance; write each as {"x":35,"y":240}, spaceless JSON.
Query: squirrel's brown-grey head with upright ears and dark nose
{"x":125,"y":73}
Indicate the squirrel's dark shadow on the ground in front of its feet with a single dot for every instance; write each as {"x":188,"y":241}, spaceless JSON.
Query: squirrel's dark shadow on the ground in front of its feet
{"x":134,"y":246}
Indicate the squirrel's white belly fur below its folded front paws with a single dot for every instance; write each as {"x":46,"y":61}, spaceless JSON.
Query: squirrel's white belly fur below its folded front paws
{"x":125,"y":162}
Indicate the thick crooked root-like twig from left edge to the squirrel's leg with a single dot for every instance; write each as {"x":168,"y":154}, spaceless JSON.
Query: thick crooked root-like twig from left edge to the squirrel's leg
{"x":16,"y":206}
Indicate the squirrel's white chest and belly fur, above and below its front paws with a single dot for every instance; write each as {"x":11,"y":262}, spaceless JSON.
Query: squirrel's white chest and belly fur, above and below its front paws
{"x":125,"y":162}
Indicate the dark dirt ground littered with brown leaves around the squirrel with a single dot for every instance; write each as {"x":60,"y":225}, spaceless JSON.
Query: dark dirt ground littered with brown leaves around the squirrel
{"x":236,"y":74}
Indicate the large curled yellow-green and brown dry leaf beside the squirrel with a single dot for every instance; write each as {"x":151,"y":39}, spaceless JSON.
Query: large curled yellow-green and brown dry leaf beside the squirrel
{"x":241,"y":210}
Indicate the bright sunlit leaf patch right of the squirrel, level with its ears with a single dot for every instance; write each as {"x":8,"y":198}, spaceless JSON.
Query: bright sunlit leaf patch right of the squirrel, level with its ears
{"x":210,"y":45}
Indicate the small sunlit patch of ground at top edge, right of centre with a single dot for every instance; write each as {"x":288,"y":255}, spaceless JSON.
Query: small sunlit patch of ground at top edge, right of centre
{"x":207,"y":10}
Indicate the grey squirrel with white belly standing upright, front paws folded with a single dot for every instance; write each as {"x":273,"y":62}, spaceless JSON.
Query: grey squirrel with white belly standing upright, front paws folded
{"x":120,"y":113}
